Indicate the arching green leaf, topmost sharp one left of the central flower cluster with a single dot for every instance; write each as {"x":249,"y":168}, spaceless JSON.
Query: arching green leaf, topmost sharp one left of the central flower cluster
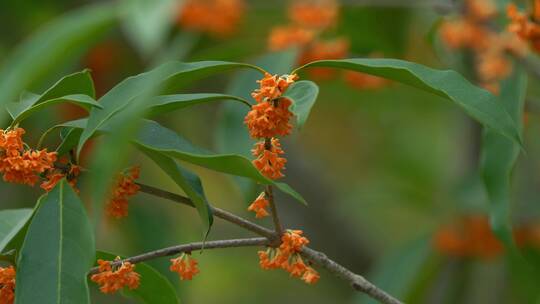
{"x":124,"y":94}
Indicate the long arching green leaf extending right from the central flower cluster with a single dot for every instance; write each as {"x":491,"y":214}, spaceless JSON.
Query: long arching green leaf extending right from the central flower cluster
{"x":476,"y":102}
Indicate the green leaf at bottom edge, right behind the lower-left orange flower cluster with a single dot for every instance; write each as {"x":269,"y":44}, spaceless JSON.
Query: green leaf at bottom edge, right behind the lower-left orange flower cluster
{"x":154,"y":287}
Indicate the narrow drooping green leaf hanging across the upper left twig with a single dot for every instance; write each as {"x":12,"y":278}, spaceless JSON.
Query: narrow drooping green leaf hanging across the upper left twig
{"x":187,"y":181}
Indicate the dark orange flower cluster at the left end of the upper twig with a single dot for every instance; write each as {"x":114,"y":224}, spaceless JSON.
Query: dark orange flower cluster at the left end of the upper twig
{"x":125,"y":187}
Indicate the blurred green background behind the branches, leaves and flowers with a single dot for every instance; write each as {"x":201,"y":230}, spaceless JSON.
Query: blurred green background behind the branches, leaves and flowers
{"x":382,"y":170}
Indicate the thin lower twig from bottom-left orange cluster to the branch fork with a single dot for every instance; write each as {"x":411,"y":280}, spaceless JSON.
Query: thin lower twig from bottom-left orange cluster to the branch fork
{"x":174,"y":250}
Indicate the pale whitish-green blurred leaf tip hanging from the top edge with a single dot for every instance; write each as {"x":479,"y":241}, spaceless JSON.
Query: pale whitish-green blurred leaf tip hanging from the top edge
{"x":147,"y":22}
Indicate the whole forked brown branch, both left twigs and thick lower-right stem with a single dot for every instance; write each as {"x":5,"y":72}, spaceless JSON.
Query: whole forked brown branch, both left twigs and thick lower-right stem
{"x":358,"y":282}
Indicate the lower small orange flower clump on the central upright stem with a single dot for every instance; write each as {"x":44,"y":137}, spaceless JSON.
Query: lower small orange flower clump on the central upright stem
{"x":268,"y":160}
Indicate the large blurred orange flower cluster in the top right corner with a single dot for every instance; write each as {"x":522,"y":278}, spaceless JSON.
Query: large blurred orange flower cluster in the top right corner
{"x":474,"y":31}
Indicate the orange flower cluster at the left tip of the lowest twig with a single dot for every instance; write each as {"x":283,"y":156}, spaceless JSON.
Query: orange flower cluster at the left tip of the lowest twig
{"x":111,"y":280}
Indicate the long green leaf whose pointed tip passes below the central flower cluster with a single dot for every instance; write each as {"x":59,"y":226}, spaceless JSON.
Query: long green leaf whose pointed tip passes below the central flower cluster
{"x":155,"y":137}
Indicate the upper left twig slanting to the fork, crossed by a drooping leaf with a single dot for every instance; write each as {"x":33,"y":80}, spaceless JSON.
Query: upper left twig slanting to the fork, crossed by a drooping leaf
{"x":220,"y":213}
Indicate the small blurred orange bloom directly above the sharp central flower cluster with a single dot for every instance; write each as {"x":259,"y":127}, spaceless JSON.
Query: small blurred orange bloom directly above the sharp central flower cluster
{"x":284,"y":37}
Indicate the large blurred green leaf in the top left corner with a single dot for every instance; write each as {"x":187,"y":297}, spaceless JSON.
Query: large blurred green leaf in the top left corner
{"x":66,"y":37}
